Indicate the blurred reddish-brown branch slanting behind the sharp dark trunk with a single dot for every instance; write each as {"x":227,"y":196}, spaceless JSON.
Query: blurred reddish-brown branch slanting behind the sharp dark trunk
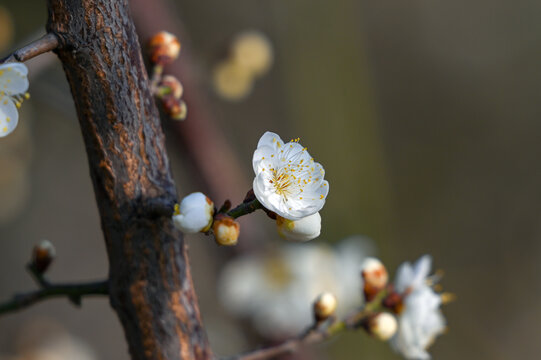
{"x":200,"y":135}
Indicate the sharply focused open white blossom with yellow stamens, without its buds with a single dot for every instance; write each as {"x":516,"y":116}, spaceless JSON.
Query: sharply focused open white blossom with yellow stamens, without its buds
{"x":287,"y":180}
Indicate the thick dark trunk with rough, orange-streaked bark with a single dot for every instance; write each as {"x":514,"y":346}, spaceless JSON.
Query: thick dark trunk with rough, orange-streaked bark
{"x":150,"y":283}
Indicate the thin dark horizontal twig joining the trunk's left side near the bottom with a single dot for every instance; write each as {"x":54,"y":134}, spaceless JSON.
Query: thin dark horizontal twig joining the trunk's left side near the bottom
{"x":74,"y":292}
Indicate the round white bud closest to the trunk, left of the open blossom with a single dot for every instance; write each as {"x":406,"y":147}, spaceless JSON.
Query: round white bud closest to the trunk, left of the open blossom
{"x":194,"y":214}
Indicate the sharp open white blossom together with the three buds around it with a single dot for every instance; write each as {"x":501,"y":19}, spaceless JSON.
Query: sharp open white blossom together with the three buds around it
{"x":288,"y":184}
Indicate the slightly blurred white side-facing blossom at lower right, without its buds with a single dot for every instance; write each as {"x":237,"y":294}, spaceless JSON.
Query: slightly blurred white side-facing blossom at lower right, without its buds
{"x":421,"y":319}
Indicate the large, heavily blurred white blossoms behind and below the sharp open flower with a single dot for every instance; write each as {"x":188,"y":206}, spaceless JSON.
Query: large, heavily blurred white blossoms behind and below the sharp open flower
{"x":276,"y":291}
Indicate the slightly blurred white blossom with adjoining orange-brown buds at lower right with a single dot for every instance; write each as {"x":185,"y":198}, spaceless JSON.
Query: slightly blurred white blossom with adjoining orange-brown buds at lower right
{"x":410,"y":313}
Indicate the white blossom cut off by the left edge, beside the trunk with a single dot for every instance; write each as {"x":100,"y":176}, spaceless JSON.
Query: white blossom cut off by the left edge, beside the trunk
{"x":13,"y":87}
